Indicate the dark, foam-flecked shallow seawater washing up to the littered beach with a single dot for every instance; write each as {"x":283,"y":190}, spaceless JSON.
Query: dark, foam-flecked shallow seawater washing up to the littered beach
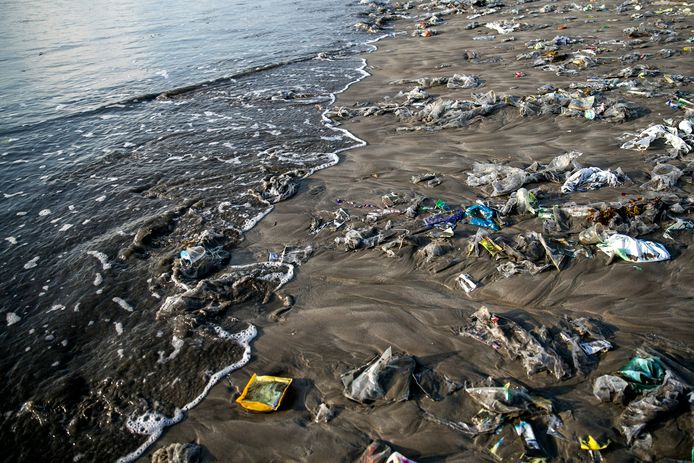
{"x":130,"y":132}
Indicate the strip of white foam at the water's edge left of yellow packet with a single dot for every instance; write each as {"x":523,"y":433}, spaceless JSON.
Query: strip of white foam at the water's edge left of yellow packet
{"x":153,"y":424}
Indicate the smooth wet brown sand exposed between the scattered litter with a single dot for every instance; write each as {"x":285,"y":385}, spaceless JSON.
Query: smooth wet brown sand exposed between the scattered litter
{"x":350,"y":306}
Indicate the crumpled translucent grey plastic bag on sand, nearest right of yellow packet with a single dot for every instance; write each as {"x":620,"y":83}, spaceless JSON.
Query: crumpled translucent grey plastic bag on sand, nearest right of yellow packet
{"x":385,"y":379}
